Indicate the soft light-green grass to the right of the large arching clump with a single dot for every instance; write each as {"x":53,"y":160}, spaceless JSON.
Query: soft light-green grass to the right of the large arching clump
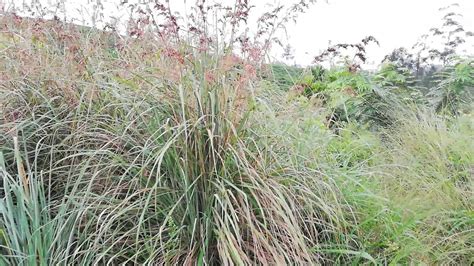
{"x":405,"y":190}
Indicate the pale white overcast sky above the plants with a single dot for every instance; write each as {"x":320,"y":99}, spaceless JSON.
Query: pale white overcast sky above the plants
{"x":394,"y":23}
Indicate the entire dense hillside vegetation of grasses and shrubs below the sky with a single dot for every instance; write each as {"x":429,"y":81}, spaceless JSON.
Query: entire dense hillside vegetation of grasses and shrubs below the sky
{"x":148,"y":150}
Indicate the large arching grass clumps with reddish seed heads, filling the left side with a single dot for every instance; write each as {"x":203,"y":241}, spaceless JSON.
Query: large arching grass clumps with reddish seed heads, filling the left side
{"x":137,"y":150}
